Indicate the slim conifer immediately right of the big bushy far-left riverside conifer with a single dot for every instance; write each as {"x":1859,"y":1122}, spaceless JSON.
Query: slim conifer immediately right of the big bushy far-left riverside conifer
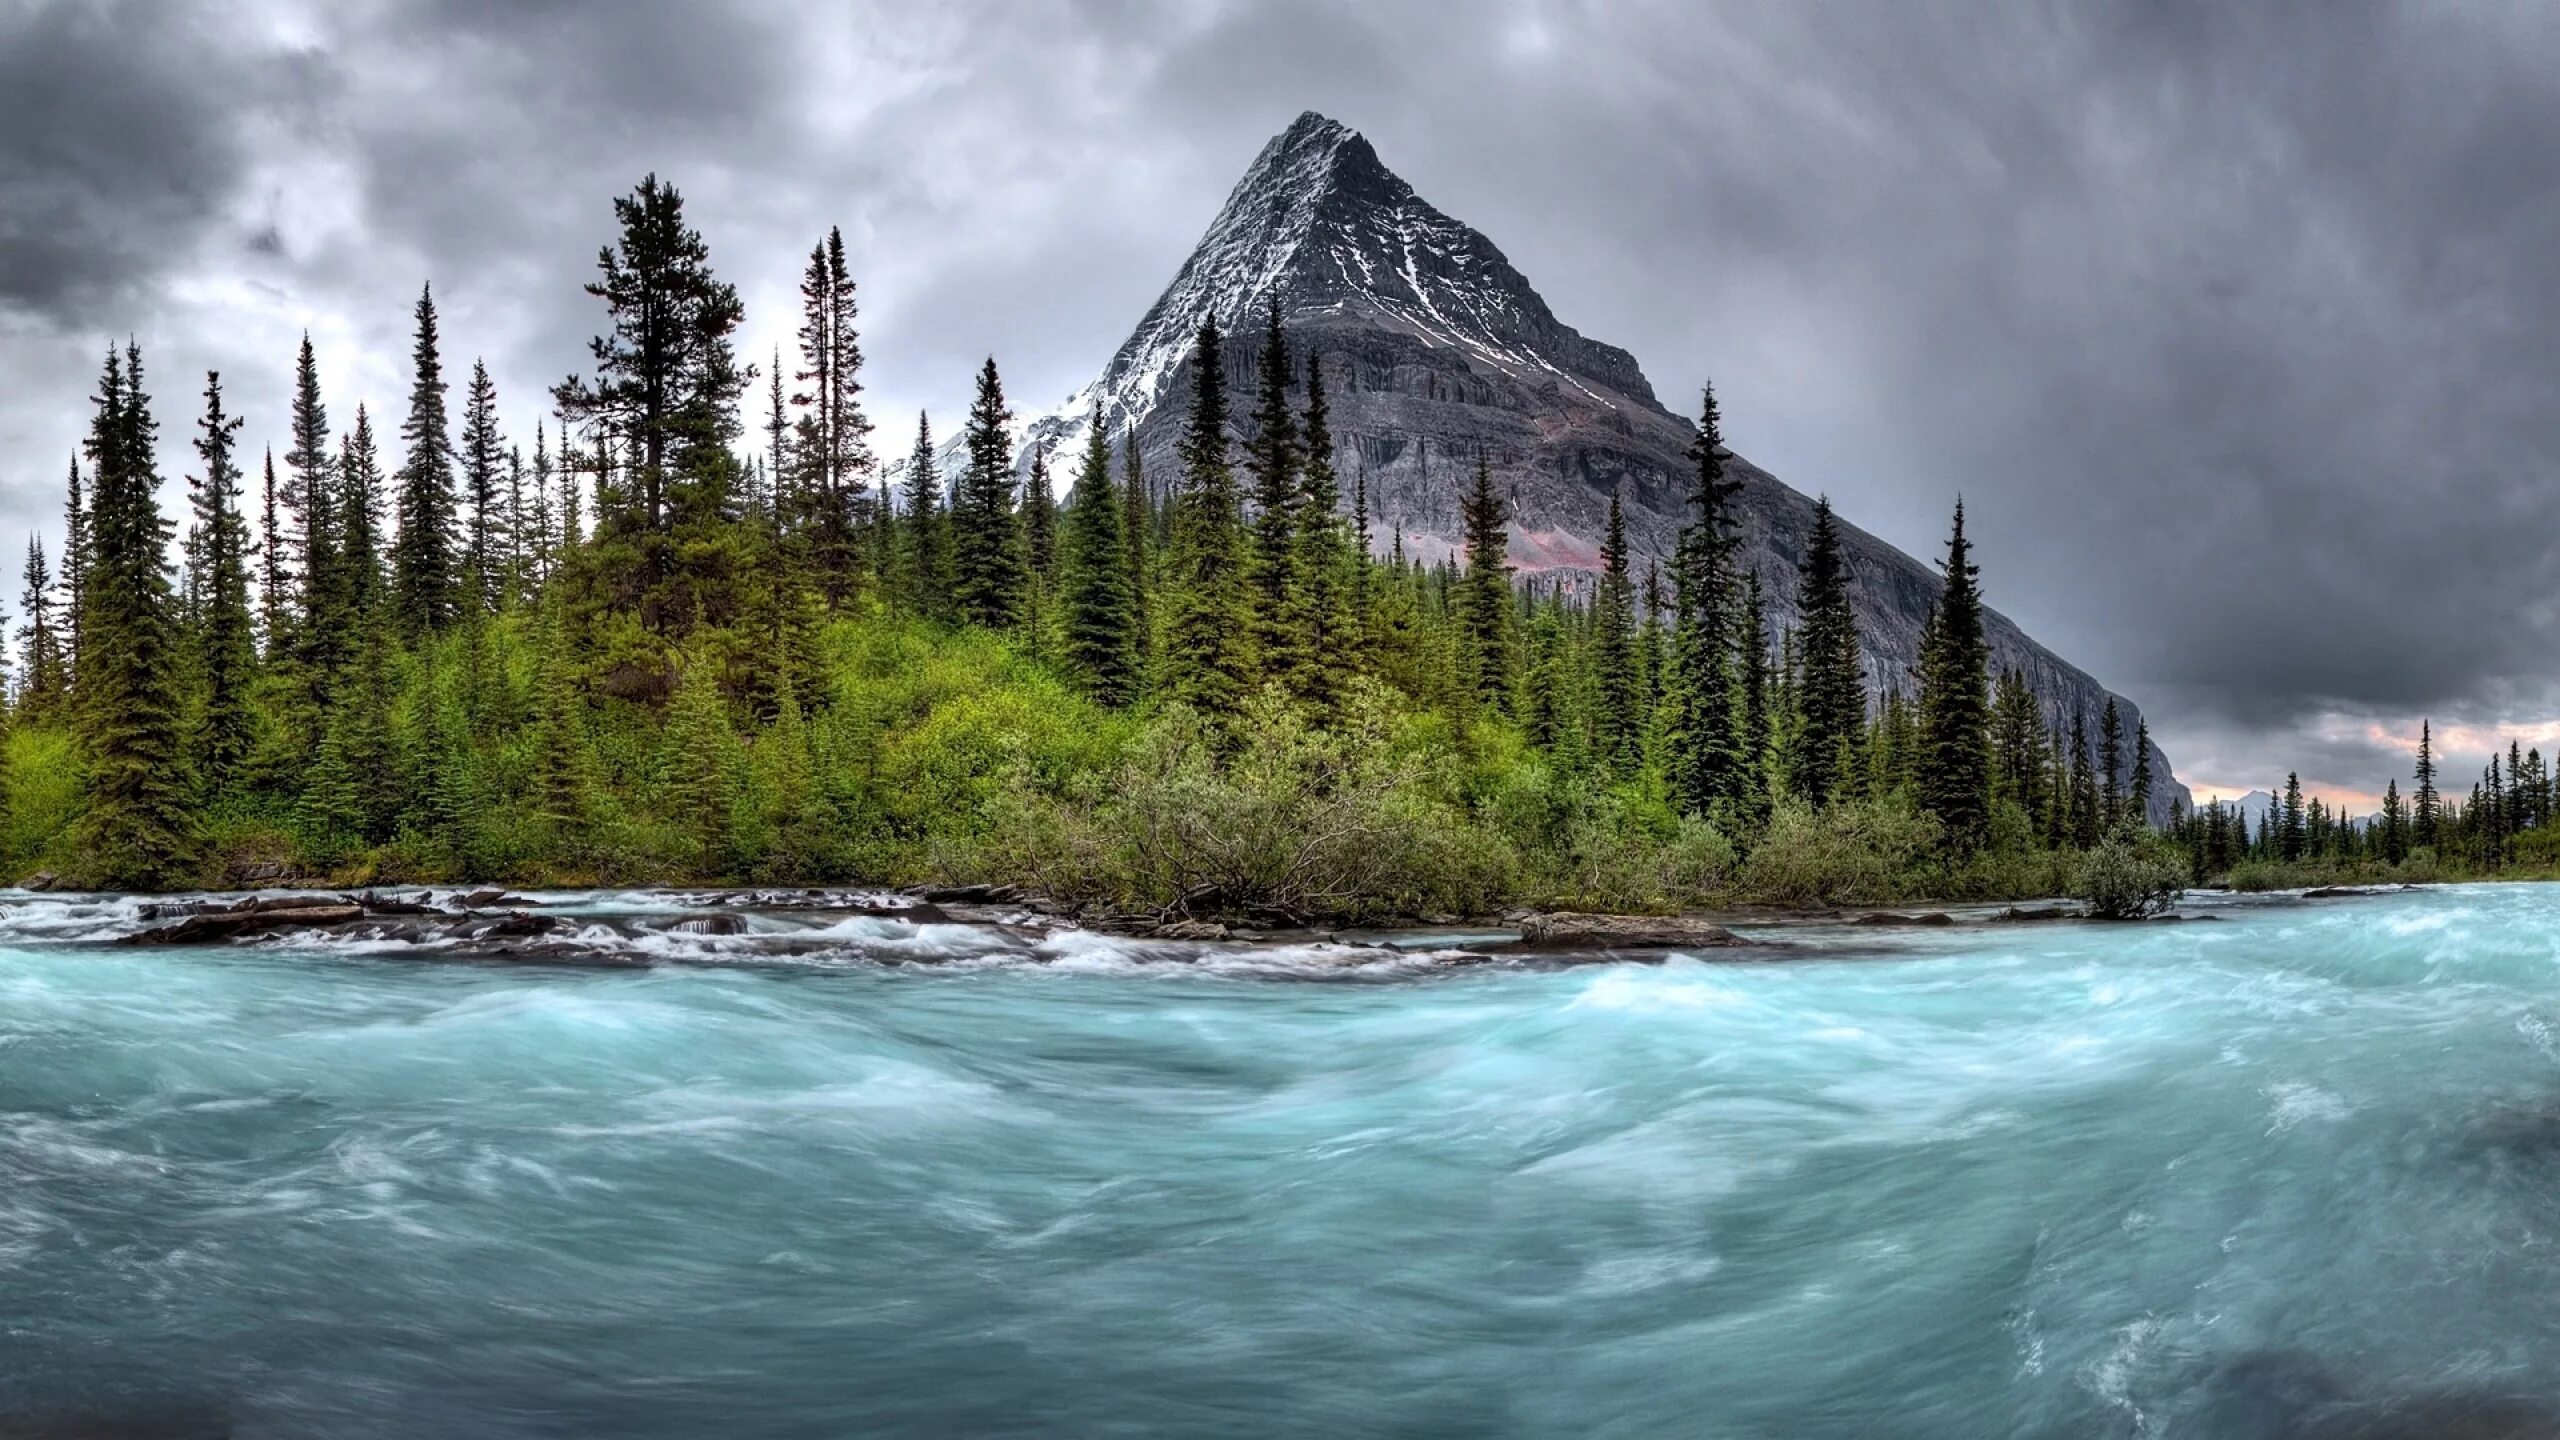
{"x":227,"y":634}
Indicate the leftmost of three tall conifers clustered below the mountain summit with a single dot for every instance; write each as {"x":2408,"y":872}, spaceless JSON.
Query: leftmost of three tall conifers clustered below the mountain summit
{"x":1207,"y":591}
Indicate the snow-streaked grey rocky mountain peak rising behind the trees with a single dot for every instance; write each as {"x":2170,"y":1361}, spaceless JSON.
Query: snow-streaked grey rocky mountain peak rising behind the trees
{"x":1437,"y":352}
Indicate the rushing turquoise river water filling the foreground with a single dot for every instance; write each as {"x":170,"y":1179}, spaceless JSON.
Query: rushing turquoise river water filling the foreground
{"x":2295,"y":1172}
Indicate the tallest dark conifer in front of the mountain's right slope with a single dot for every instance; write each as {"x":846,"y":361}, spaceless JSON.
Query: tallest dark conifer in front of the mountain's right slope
{"x":1706,"y":755}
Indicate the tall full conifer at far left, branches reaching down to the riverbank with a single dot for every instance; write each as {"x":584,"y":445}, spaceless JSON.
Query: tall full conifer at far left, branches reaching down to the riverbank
{"x":140,"y":826}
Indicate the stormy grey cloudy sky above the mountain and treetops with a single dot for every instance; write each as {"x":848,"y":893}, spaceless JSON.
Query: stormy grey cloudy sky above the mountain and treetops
{"x":2236,"y":327}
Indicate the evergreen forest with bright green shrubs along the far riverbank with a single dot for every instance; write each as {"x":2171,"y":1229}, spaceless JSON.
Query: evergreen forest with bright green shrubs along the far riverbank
{"x":700,"y":634}
